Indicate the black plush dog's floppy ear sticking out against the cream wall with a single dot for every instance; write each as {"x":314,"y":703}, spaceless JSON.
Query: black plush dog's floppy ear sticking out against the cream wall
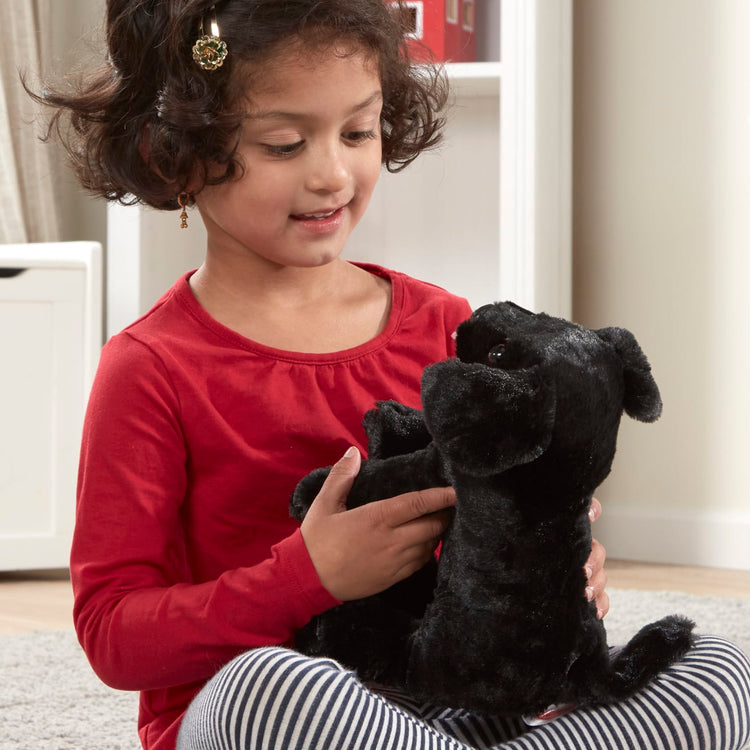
{"x":642,"y":400}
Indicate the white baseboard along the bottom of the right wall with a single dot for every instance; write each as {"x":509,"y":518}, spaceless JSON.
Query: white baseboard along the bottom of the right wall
{"x":665,"y":535}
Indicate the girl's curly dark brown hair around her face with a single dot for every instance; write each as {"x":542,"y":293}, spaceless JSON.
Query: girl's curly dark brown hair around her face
{"x":150,"y":88}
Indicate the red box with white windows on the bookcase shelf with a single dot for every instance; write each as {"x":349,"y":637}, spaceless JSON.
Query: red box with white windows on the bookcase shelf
{"x":447,"y":27}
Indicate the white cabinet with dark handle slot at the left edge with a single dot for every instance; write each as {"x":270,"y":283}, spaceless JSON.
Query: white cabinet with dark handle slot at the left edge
{"x":50,"y":337}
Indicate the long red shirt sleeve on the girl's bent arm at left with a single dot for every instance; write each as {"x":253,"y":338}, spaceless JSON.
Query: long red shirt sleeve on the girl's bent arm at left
{"x":143,"y":623}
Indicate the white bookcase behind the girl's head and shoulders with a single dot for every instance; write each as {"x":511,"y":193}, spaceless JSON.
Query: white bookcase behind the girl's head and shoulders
{"x":487,"y":215}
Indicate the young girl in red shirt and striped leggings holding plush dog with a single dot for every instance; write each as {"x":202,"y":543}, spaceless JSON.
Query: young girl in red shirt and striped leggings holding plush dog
{"x":272,"y":118}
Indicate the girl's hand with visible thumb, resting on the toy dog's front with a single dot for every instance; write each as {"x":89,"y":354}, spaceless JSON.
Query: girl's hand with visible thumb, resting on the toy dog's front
{"x":362,"y":551}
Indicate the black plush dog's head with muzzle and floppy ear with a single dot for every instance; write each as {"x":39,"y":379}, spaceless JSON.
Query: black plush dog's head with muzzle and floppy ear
{"x":527,"y":384}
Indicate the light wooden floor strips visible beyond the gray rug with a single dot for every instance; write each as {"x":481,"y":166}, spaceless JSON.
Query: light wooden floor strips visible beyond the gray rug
{"x":43,"y":600}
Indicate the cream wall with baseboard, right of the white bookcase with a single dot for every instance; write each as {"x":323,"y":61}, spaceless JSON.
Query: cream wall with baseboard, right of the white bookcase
{"x":661,"y":241}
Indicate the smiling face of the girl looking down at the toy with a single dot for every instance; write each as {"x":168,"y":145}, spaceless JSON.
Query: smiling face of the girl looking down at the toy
{"x":311,"y":150}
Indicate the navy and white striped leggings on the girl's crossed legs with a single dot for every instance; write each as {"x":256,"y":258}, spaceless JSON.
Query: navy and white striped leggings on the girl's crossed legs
{"x":276,"y":699}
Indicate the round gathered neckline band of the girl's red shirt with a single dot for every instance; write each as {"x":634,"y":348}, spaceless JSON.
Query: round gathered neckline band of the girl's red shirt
{"x":187,"y":299}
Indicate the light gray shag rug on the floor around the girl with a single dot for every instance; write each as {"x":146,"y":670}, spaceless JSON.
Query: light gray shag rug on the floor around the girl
{"x":51,"y":700}
